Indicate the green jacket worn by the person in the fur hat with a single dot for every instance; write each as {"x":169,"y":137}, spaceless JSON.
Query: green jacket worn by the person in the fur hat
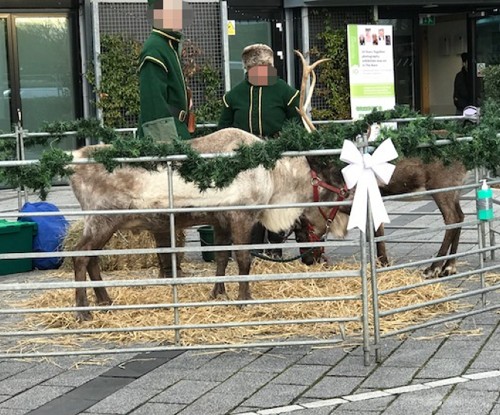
{"x":260,"y":110}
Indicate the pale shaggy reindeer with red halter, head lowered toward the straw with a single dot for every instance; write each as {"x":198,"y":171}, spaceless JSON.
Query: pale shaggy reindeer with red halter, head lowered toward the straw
{"x":135,"y":188}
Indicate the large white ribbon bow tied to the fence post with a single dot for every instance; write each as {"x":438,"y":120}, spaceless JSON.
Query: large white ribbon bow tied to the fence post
{"x":363,"y":171}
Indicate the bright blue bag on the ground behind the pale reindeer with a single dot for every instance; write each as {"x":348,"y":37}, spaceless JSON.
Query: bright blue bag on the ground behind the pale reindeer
{"x":50,"y":235}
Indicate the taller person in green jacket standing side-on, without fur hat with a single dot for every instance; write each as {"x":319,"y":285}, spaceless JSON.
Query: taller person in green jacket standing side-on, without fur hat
{"x":164,"y":101}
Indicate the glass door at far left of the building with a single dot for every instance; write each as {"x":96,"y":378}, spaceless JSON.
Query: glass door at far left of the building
{"x":38,"y":76}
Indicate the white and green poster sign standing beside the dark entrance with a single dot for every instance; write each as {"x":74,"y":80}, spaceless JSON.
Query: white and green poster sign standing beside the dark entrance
{"x":371,"y":68}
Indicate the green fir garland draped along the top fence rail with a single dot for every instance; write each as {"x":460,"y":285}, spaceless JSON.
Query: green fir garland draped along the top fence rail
{"x":483,"y":150}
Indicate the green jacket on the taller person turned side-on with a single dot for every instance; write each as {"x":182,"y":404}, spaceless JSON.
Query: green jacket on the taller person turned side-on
{"x":163,"y":93}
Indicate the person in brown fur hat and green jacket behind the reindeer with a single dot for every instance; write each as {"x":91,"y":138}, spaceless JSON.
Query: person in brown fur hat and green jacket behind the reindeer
{"x":260,"y":104}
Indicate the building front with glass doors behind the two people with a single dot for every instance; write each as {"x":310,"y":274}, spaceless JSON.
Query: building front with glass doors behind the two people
{"x":47,"y":46}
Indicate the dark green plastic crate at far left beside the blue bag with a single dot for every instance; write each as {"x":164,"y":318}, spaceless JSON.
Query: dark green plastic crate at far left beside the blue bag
{"x":16,"y":237}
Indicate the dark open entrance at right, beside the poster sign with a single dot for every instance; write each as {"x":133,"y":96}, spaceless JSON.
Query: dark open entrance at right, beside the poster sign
{"x":427,"y":47}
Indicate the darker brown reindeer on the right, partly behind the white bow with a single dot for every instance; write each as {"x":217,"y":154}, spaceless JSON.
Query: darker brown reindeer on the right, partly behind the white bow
{"x":410,"y":175}
